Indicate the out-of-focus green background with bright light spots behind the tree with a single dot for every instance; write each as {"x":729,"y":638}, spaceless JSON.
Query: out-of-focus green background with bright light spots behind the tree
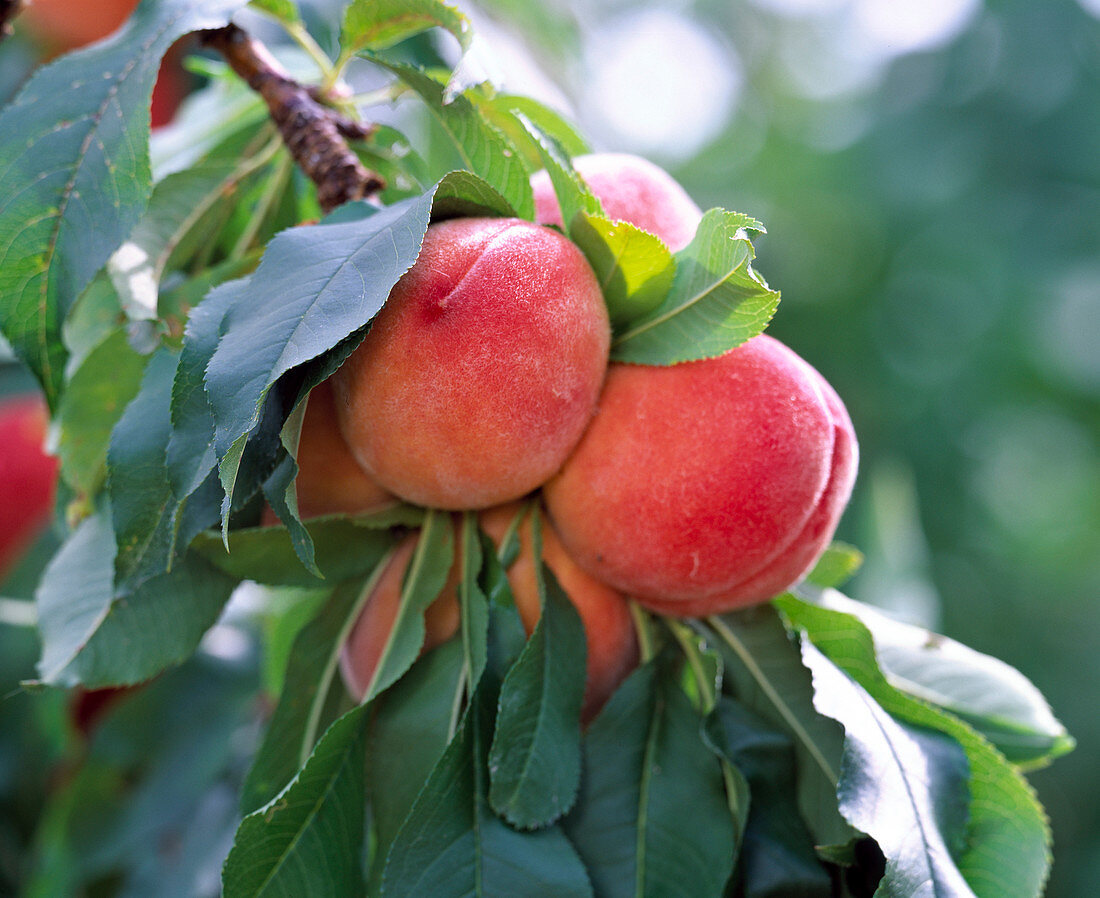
{"x":930,"y":177}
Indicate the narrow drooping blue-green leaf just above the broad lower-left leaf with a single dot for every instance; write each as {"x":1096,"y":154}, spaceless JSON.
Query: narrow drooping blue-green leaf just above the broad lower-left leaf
{"x":152,"y":528}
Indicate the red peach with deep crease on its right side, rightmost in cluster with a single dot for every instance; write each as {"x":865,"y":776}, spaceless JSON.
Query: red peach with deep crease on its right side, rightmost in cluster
{"x":708,"y":486}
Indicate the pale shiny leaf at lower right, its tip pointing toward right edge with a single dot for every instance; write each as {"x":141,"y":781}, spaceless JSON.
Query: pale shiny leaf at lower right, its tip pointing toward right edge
{"x":993,"y":697}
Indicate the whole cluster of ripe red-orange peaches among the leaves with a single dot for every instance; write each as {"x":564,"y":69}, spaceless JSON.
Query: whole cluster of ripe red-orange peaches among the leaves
{"x":691,"y":489}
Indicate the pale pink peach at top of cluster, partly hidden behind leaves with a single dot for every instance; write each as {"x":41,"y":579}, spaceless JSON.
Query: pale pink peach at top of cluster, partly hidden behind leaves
{"x":631,"y":190}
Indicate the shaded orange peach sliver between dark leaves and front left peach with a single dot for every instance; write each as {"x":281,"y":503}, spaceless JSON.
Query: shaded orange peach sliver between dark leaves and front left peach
{"x":331,"y":481}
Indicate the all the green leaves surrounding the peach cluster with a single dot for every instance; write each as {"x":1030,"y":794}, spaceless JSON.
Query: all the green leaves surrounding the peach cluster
{"x":179,"y":423}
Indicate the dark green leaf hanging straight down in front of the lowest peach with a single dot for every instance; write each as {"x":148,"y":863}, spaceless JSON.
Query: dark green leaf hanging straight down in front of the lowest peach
{"x":535,"y":760}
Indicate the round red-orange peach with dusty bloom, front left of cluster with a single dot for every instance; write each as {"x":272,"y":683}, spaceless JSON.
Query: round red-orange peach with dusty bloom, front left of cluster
{"x":483,"y":368}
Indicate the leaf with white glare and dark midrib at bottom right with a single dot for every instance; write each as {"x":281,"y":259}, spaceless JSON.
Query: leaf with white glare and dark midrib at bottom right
{"x":905,"y":789}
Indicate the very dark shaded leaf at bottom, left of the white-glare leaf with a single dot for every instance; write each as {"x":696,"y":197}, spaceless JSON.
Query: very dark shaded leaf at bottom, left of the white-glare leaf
{"x":777,"y":857}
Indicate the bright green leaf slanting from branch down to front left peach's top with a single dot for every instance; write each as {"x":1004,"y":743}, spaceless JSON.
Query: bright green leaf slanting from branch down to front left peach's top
{"x":485,"y":151}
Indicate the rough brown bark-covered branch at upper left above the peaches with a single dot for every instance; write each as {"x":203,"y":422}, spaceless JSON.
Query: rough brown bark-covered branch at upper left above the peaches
{"x":313,"y":133}
